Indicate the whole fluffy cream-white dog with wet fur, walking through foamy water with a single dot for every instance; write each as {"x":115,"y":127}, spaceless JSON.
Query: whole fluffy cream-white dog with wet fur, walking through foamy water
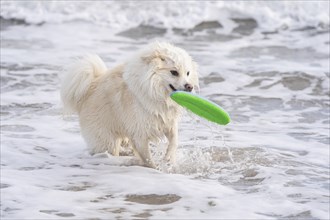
{"x":132,"y":101}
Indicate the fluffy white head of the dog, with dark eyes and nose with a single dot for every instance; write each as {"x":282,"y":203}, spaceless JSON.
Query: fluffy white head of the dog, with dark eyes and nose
{"x":164,"y":69}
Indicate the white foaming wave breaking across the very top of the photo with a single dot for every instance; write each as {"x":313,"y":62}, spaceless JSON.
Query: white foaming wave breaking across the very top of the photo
{"x":122,"y":15}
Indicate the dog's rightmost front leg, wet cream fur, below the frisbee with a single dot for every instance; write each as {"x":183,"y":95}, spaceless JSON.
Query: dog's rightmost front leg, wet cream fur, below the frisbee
{"x":172,"y":136}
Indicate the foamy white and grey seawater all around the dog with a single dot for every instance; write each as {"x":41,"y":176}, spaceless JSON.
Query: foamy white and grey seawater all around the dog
{"x":264,"y":62}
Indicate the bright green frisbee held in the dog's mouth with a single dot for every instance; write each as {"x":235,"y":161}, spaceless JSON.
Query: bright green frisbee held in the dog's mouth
{"x":201,"y":107}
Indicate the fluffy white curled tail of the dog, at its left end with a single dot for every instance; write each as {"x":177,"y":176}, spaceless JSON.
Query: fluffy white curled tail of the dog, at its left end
{"x":78,"y":80}
